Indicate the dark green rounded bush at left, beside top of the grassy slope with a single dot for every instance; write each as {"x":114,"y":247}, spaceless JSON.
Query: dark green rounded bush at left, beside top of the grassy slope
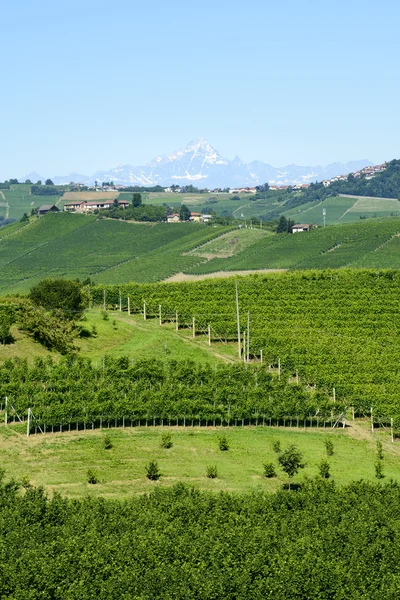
{"x":62,"y":295}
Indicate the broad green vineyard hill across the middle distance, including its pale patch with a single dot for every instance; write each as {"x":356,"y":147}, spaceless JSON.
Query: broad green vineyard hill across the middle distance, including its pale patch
{"x":111,"y":251}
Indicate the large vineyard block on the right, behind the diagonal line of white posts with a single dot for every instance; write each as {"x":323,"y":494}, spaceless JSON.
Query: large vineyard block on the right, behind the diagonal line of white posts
{"x":337,"y":329}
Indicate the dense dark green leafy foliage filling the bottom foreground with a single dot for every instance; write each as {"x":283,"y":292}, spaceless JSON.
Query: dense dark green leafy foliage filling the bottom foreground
{"x":324,"y":540}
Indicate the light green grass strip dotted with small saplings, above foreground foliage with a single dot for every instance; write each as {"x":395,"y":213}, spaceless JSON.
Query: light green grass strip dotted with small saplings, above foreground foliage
{"x":60,"y":462}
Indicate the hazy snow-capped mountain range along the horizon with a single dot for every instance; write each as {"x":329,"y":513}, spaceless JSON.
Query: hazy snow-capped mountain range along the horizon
{"x":201,"y":165}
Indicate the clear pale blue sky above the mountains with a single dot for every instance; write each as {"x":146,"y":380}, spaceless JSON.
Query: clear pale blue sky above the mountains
{"x":90,"y":85}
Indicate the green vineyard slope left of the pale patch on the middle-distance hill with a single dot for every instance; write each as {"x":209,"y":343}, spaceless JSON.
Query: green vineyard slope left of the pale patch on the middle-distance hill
{"x":79,"y":246}
